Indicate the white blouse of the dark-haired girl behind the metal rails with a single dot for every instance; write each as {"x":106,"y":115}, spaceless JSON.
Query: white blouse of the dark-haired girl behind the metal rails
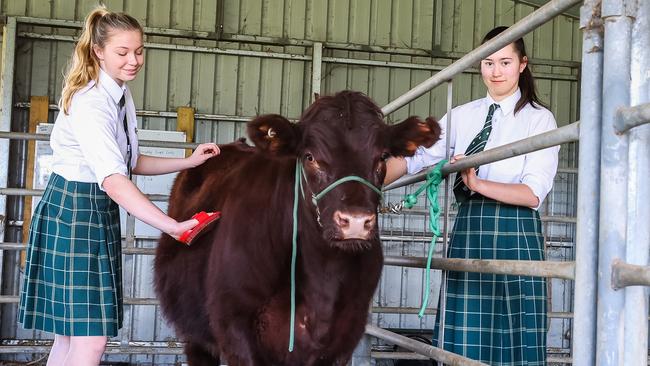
{"x":536,"y":170}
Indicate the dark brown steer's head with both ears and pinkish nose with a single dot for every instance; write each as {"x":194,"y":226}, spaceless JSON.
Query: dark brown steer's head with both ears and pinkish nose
{"x":343,"y":136}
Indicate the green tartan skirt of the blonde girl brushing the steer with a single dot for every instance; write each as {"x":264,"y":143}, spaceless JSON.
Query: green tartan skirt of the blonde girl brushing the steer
{"x":73,"y":275}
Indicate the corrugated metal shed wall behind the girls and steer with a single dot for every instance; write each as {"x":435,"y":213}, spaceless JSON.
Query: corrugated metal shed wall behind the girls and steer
{"x":417,"y":32}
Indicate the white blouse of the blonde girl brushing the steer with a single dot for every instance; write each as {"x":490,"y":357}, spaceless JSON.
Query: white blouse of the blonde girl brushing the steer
{"x":89,"y":143}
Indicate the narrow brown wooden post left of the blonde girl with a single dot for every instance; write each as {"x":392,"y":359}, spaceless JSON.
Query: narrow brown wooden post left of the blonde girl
{"x":38,"y":112}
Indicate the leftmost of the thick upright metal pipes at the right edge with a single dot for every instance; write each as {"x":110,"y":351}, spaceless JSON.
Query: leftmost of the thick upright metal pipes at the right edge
{"x":586,"y":249}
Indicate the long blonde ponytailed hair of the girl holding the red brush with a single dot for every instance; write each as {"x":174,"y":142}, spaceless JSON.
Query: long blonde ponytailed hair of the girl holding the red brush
{"x":84,"y":65}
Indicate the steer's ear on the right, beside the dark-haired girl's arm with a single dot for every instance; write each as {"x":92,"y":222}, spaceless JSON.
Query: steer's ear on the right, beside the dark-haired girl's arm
{"x":405,"y":137}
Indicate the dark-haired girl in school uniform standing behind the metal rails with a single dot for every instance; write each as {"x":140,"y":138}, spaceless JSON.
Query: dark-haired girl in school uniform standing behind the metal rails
{"x":496,"y":319}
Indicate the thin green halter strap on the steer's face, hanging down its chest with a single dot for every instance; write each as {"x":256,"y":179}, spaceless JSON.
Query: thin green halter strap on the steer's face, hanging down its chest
{"x":300,"y":173}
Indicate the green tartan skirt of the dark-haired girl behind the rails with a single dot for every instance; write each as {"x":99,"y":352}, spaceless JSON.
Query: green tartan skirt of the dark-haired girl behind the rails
{"x":493,"y":318}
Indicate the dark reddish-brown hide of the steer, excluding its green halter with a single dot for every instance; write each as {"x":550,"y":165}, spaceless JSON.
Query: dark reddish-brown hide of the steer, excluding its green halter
{"x":229,"y":293}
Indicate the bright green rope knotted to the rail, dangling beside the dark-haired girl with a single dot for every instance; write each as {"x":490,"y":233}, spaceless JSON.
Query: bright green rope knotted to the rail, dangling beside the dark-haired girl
{"x":434,"y":178}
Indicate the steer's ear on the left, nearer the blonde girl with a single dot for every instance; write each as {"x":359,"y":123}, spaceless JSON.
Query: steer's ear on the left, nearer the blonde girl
{"x":274,"y":134}
